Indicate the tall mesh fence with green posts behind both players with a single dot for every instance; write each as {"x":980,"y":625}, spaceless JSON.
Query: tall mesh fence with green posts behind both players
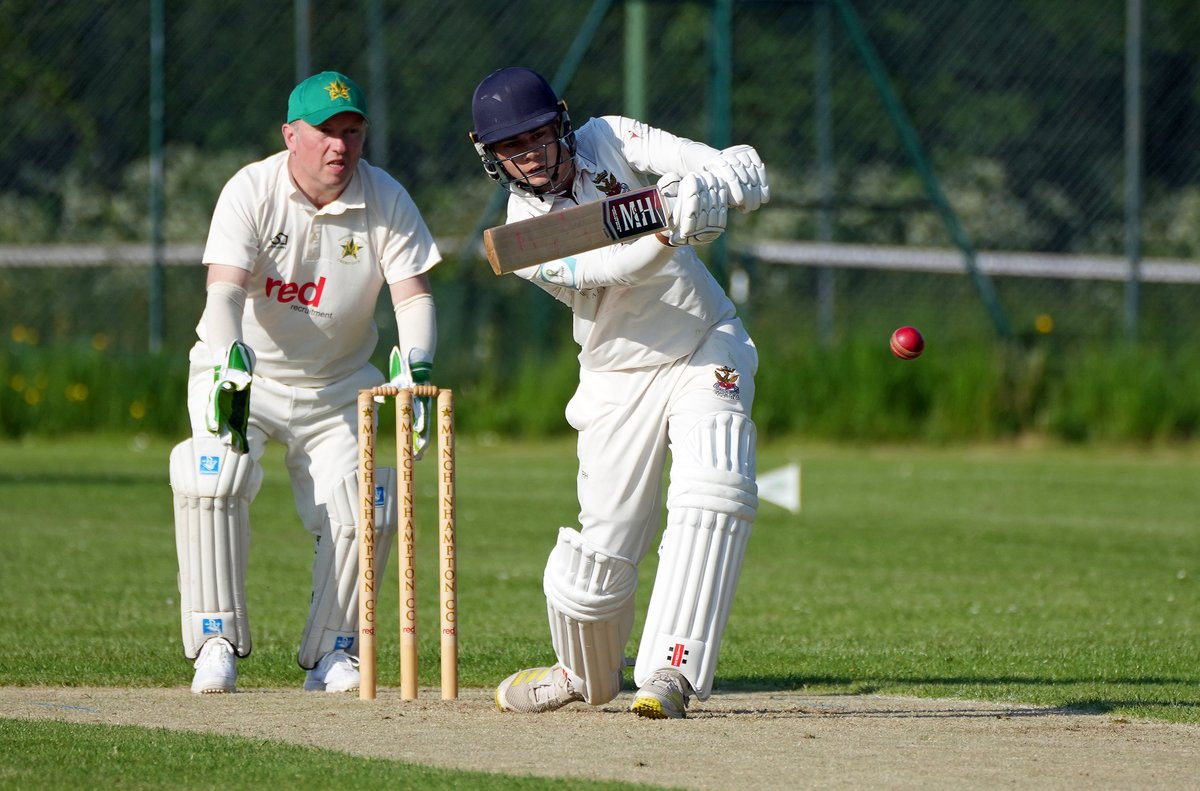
{"x":975,"y":167}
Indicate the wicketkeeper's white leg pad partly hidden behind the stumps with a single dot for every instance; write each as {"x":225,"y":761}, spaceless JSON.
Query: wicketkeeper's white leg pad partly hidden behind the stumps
{"x":334,"y":612}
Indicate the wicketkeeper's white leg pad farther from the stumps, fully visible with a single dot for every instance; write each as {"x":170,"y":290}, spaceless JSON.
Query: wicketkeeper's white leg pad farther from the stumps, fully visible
{"x":214,"y":488}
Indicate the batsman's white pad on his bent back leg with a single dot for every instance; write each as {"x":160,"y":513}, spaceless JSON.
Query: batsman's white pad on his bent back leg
{"x":590,"y":600}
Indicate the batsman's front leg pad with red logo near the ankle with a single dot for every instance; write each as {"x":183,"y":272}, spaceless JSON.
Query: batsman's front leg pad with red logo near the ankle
{"x":711,"y":508}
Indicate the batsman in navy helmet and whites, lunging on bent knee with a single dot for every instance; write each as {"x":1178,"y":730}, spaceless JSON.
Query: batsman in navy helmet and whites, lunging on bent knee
{"x":665,"y":368}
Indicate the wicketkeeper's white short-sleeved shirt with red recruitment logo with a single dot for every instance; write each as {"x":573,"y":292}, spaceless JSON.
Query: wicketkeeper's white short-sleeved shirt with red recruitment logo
{"x":315,"y":274}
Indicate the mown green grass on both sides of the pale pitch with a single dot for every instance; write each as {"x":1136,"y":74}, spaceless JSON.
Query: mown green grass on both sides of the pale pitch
{"x":1030,"y":576}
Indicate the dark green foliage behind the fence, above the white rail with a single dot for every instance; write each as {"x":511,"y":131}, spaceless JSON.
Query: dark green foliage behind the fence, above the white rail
{"x":1030,"y":92}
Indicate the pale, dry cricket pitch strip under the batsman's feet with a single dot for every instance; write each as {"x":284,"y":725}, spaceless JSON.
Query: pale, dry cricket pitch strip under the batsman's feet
{"x":776,"y":740}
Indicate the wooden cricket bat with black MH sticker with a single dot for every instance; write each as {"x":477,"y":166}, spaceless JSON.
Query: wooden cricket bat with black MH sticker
{"x":573,"y":231}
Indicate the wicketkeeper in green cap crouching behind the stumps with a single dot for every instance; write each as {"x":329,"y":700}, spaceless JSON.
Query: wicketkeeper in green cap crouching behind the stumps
{"x":299,"y":249}
